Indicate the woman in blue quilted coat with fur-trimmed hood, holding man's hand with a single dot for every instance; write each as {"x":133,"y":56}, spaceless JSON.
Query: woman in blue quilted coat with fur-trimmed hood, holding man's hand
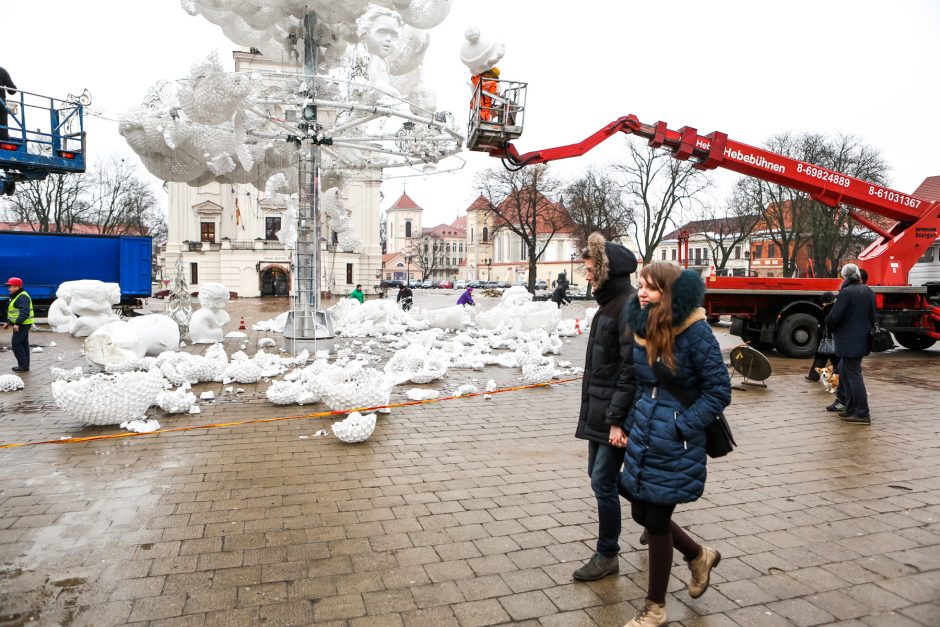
{"x":665,"y":460}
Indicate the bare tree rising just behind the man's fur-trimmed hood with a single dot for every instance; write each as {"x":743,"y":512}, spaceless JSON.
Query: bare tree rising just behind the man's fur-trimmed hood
{"x":595,"y":203}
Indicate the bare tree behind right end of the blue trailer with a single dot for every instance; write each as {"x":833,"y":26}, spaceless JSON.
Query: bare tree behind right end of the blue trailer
{"x":121,"y":202}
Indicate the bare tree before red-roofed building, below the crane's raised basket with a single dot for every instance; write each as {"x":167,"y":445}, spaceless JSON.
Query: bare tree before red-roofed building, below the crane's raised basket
{"x":521,"y":205}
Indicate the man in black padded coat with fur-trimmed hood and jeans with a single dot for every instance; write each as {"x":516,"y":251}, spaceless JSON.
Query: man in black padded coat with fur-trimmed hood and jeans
{"x":607,"y":392}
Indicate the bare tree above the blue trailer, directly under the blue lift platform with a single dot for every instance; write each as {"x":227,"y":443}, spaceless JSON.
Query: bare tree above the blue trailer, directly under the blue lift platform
{"x":56,"y":203}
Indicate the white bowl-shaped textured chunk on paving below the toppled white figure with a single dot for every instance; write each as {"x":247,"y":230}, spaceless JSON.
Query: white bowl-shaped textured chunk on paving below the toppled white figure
{"x":105,"y":399}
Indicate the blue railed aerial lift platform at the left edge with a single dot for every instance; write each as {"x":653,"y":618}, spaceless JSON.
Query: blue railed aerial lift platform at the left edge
{"x":43,"y":136}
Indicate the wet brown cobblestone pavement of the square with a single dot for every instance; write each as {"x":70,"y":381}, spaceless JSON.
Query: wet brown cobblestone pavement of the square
{"x":465,"y":512}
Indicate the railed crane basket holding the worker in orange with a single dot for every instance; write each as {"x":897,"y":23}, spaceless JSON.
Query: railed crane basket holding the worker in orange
{"x":496,"y":114}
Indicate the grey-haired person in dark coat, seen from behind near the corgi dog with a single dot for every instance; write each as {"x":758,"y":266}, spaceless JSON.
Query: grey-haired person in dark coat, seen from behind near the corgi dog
{"x":851,"y":320}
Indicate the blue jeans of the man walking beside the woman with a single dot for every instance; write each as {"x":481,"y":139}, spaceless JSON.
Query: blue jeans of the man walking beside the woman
{"x":604,"y":465}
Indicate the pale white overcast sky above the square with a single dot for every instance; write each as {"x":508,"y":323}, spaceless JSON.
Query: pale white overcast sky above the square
{"x":749,"y":69}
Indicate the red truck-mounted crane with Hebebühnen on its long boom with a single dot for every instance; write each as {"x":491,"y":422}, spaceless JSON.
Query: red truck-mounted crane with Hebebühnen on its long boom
{"x":778,"y":312}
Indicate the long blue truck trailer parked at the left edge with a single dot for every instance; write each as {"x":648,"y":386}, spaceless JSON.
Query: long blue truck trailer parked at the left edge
{"x":46,"y":260}
